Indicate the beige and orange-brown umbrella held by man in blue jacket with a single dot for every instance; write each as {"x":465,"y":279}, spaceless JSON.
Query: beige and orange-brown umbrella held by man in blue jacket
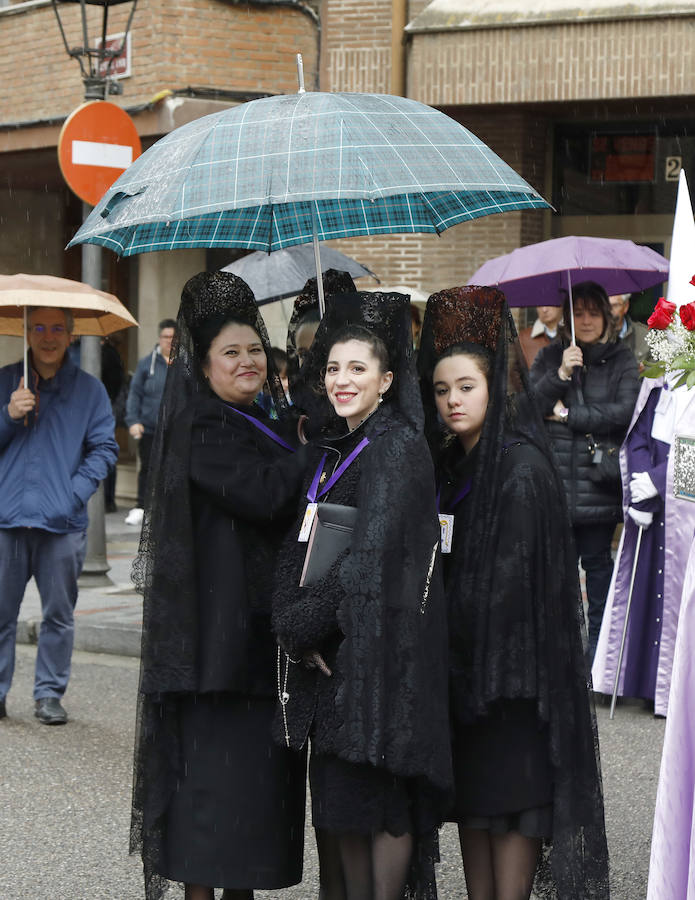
{"x":95,"y":312}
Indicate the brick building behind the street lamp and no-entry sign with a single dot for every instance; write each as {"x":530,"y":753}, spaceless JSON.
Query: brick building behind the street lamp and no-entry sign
{"x":187,"y":58}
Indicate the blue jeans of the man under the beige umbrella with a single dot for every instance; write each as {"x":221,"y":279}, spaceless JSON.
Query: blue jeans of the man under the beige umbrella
{"x":55,"y":561}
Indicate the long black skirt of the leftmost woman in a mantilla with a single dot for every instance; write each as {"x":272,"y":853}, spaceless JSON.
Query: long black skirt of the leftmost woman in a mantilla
{"x":237,"y":819}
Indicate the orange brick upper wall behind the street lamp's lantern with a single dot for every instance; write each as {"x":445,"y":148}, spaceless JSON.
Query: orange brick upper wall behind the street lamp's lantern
{"x":175,"y":44}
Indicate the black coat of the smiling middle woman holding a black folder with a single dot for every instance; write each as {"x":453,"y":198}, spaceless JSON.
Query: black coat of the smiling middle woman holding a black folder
{"x":378,"y":616}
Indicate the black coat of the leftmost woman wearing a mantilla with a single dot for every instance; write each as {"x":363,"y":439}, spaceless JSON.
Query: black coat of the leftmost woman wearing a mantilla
{"x":230,"y":494}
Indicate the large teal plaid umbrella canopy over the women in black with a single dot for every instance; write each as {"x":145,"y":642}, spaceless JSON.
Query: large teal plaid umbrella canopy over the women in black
{"x":289,"y":169}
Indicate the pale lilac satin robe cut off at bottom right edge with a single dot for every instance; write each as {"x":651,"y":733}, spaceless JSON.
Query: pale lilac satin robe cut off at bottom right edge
{"x":672,"y":865}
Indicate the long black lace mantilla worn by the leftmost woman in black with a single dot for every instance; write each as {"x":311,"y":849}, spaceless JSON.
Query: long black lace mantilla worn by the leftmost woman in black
{"x":165,"y":568}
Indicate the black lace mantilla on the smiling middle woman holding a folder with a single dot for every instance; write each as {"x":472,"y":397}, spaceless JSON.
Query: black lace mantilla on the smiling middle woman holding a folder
{"x":394,"y":703}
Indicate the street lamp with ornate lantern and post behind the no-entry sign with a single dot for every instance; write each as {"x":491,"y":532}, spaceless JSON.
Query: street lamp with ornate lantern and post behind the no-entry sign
{"x":96,"y":60}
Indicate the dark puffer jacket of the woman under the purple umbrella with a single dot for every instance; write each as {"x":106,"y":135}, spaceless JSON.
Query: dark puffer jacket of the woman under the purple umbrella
{"x":610,"y":384}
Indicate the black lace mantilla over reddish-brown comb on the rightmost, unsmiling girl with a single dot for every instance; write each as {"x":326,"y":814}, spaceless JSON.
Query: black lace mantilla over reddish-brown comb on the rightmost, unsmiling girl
{"x":487,"y":661}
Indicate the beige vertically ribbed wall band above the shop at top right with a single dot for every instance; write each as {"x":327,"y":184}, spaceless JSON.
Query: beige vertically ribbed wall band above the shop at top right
{"x":583,"y":61}
